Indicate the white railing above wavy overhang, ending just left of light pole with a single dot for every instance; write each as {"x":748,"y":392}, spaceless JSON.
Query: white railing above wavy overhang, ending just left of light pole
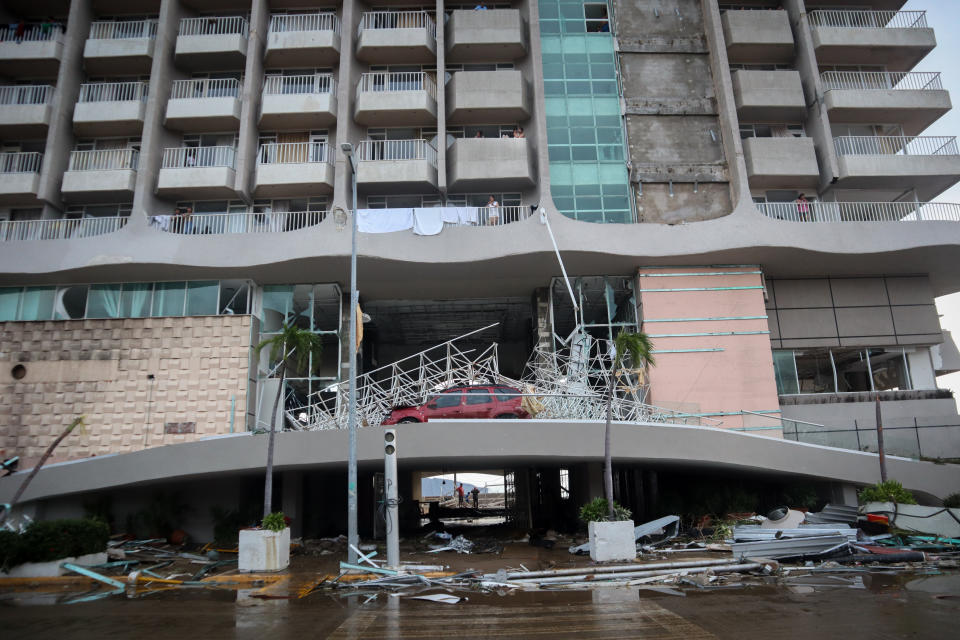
{"x":244,"y":222}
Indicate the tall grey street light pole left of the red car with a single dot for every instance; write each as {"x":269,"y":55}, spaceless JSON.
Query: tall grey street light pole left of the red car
{"x":353,"y":538}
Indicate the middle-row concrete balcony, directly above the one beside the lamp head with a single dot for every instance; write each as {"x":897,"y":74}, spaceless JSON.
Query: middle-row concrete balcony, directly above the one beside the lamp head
{"x":396,"y":99}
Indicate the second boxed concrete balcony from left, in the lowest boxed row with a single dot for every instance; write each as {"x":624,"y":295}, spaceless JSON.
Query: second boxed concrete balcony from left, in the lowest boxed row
{"x":104,"y":175}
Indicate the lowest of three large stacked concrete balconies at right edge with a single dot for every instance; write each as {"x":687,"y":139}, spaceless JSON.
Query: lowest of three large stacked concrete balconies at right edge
{"x":883,"y":163}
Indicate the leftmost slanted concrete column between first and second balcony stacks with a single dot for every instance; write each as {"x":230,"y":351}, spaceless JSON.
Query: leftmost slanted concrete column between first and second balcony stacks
{"x":60,"y":138}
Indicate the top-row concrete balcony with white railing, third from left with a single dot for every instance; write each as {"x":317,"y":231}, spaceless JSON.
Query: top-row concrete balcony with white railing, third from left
{"x":212,"y":43}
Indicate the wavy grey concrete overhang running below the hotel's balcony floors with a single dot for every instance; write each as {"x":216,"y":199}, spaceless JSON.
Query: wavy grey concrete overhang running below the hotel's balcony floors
{"x":508,"y":260}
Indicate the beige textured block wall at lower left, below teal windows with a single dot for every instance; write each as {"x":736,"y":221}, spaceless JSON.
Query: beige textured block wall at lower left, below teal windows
{"x":99,"y":369}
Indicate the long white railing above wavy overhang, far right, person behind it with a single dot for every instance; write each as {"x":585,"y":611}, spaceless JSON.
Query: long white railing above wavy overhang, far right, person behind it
{"x":861,"y":211}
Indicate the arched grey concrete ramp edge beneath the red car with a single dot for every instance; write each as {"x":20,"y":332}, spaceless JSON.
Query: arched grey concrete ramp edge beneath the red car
{"x":492,"y":444}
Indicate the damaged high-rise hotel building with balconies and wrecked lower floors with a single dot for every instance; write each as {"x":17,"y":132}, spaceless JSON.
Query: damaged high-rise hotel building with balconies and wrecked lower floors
{"x":174,"y":188}
